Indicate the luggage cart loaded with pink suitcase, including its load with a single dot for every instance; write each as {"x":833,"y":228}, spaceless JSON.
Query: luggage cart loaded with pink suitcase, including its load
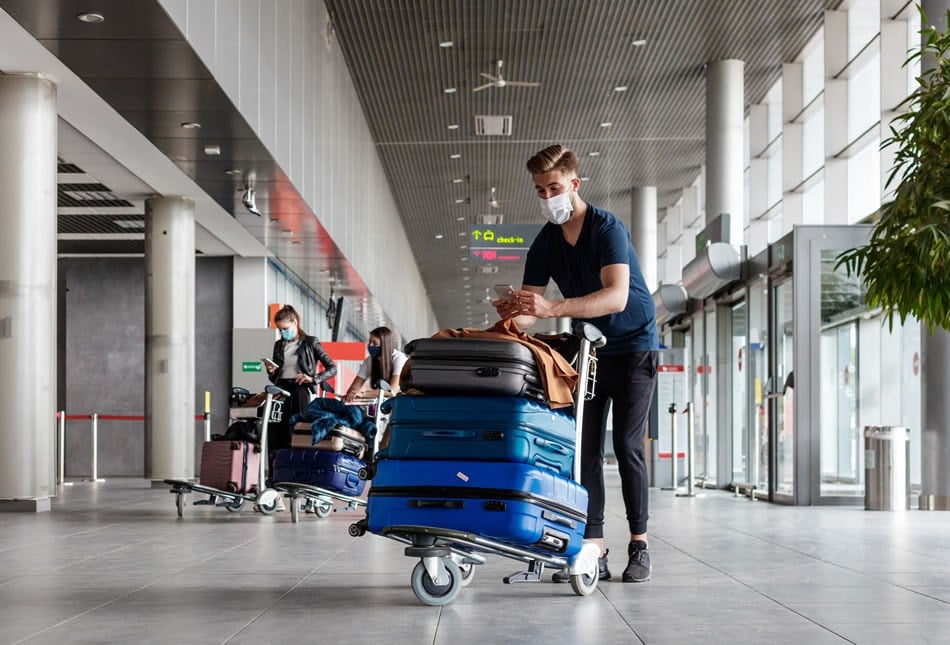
{"x":233,"y":470}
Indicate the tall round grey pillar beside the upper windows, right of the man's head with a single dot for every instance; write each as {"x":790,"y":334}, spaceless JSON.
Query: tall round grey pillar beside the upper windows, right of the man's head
{"x":725,"y":108}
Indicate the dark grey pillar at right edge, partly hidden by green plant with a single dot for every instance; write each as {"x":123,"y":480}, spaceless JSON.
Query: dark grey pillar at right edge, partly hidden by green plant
{"x":935,"y":383}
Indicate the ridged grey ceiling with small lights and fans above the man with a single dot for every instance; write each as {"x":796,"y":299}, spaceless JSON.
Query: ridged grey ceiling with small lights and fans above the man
{"x":580,"y":51}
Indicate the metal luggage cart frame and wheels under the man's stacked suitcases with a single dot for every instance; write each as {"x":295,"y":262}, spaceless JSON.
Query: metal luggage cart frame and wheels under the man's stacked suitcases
{"x":447,"y":557}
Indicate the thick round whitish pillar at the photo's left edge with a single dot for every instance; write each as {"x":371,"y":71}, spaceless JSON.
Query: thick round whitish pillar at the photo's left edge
{"x":27,"y":292}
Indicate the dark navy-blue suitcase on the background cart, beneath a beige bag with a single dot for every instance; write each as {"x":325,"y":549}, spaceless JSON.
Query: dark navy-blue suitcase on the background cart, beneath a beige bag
{"x":334,"y":470}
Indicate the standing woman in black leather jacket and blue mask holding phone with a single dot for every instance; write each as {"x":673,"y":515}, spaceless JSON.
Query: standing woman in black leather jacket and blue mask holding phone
{"x":295,"y":358}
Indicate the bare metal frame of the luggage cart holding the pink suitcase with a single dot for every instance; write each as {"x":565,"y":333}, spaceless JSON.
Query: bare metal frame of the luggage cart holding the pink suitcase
{"x":264,"y":498}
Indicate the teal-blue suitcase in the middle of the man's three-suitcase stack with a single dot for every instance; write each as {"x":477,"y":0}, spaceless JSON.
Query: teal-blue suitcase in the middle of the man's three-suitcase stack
{"x":482,"y":428}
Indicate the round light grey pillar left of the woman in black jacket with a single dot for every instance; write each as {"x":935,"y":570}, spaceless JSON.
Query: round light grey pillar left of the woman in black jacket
{"x":170,"y":427}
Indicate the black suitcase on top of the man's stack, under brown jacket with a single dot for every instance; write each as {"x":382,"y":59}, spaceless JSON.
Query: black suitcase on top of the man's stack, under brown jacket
{"x":474,"y":366}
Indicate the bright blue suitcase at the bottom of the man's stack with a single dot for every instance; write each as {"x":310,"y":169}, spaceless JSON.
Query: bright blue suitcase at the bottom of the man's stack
{"x":514,"y":503}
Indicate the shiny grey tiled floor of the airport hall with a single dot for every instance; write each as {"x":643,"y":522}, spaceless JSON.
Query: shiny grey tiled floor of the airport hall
{"x":112,"y":564}
